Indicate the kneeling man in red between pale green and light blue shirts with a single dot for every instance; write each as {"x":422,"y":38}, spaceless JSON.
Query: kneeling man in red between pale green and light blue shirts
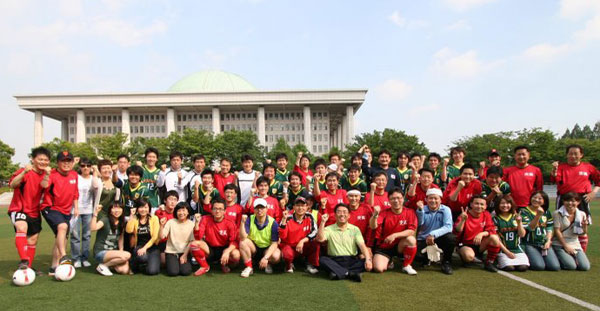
{"x":395,"y":234}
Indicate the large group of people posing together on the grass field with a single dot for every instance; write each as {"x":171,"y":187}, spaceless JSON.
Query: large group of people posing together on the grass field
{"x":344,"y":220}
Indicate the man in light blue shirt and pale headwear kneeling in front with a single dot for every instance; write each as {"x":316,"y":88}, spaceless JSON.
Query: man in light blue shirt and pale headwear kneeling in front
{"x":435,"y":227}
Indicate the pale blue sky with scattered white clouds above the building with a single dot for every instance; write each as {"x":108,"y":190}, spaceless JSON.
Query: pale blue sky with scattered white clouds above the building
{"x":439,"y":69}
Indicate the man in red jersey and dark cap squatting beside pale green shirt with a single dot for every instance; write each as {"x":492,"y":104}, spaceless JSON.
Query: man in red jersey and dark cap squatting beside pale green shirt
{"x":297,"y":233}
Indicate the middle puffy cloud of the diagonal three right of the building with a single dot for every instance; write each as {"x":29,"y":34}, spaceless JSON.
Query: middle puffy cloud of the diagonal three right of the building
{"x":447,"y":62}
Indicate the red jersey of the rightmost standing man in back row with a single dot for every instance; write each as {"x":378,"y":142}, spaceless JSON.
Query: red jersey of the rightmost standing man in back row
{"x":576,"y":178}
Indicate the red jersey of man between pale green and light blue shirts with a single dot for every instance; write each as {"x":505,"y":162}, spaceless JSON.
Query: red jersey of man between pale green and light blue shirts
{"x":390,"y":222}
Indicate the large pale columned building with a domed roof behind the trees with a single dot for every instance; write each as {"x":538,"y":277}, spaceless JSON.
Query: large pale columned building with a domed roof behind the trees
{"x":211,"y":100}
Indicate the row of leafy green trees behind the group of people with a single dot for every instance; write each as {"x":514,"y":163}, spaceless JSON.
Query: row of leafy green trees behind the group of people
{"x":546,"y":147}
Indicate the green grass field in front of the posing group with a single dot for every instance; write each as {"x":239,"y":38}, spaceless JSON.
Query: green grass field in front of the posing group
{"x":467,"y":289}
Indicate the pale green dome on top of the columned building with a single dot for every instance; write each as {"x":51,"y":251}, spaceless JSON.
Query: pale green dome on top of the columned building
{"x":211,"y":81}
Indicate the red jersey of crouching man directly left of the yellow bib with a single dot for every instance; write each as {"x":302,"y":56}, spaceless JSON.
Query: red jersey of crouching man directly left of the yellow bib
{"x":216,"y":234}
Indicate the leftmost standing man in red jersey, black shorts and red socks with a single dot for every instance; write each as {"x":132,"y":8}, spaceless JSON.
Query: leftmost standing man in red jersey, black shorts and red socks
{"x":24,"y":209}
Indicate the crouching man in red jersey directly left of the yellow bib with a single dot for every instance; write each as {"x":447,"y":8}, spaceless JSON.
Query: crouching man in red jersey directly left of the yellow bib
{"x":216,"y":239}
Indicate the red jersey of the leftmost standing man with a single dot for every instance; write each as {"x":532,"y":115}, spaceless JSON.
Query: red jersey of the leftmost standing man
{"x":27,"y":196}
